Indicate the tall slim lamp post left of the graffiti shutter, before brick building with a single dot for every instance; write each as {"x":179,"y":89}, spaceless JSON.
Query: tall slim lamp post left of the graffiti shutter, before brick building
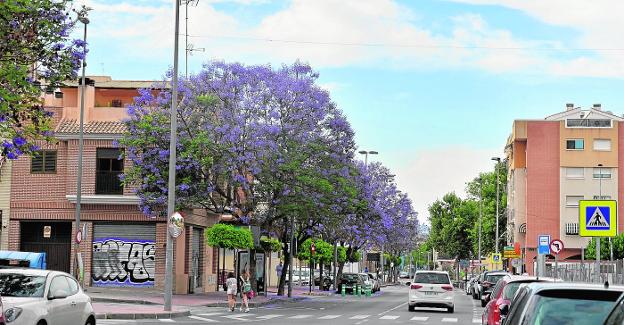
{"x":82,"y":17}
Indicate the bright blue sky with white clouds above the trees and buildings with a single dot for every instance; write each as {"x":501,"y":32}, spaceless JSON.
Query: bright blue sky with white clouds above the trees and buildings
{"x":432,"y":85}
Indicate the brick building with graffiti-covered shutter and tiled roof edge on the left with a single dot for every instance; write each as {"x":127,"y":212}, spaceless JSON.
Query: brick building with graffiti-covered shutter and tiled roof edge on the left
{"x":121,"y":247}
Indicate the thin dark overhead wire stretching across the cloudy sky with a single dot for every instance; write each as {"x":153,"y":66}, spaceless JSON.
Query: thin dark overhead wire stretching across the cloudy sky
{"x":396,"y":45}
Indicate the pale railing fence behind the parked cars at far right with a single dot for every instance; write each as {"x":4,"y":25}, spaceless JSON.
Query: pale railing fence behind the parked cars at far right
{"x":584,"y":272}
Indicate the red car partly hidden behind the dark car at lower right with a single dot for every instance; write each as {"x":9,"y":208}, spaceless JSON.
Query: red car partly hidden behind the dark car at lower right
{"x":502,"y":294}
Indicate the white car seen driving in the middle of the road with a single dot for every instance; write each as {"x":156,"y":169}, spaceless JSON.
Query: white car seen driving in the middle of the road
{"x":431,"y":289}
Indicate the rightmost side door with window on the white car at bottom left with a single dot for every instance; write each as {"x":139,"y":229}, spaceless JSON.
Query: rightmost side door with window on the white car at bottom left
{"x":60,"y":310}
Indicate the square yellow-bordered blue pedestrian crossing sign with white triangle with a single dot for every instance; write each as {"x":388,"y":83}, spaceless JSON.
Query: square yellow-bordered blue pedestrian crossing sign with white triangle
{"x":598,"y":218}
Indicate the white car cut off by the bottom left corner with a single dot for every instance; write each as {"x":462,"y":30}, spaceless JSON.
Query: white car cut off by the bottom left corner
{"x":31,"y":296}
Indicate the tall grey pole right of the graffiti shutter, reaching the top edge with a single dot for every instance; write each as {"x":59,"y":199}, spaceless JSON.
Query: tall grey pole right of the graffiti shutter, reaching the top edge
{"x":172,"y":162}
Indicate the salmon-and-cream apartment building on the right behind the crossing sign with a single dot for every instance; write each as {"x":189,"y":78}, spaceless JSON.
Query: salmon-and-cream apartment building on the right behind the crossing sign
{"x":553,"y":164}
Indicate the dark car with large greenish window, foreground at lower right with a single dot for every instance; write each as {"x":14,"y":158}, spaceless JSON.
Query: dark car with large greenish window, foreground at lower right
{"x":561,"y":303}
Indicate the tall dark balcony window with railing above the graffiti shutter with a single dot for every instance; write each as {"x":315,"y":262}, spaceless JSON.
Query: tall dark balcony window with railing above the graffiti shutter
{"x":107,"y":170}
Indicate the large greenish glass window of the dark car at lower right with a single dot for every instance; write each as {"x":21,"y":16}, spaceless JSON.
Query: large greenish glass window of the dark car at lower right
{"x":571,"y":307}
